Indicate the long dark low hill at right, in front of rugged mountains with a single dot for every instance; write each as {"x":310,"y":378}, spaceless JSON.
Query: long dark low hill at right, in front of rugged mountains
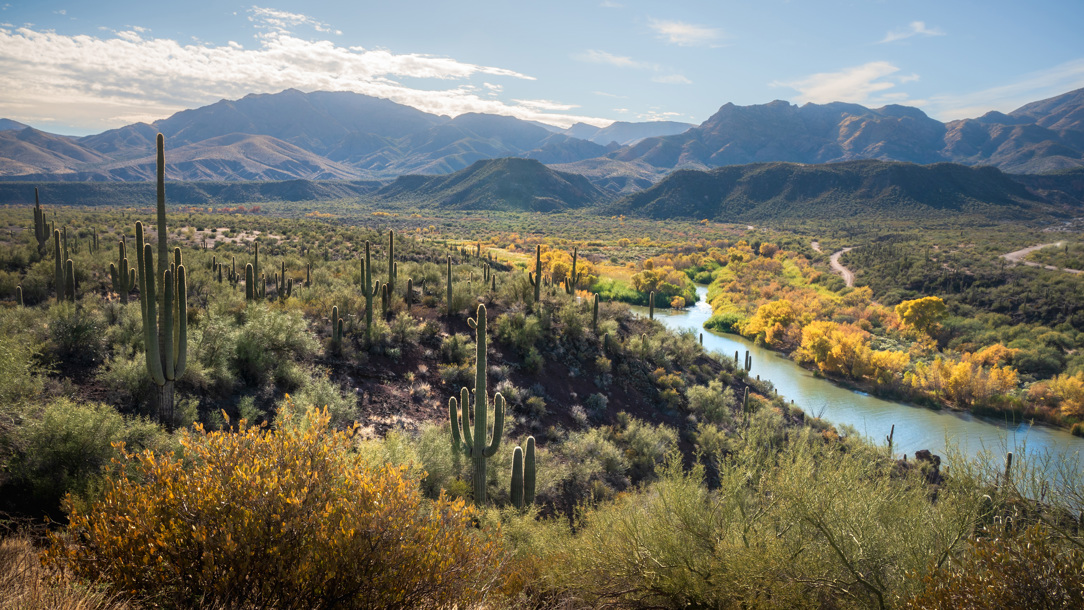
{"x":867,"y":189}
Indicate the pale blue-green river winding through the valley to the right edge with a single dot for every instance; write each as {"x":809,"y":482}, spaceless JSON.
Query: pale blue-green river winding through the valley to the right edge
{"x":917,"y":427}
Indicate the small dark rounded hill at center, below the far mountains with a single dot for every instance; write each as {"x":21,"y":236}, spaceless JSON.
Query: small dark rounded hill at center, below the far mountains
{"x":496,"y":185}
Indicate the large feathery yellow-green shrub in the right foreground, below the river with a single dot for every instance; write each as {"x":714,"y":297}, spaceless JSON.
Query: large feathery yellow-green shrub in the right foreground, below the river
{"x":804,"y":526}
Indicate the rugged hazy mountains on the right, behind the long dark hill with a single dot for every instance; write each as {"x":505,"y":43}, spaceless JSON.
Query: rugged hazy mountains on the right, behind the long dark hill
{"x":1040,"y":137}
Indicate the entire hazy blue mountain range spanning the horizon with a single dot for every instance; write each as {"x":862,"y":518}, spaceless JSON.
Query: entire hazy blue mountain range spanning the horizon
{"x":343,"y":136}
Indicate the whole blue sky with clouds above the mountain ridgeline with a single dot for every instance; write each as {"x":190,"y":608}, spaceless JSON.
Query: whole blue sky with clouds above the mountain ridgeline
{"x":84,"y":68}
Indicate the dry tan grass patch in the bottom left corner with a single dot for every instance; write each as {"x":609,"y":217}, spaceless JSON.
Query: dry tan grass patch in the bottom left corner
{"x":27,"y":586}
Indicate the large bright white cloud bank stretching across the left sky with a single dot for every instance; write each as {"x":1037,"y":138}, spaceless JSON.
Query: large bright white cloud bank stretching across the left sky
{"x":104,"y":82}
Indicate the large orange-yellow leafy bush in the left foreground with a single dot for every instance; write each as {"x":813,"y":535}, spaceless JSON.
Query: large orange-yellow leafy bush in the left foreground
{"x":289,"y":518}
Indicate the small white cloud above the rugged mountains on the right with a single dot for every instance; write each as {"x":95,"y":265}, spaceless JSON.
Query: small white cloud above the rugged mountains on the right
{"x":868,"y":84}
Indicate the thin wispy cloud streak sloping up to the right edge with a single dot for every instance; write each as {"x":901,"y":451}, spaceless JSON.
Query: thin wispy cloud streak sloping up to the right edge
{"x":1010,"y":97}
